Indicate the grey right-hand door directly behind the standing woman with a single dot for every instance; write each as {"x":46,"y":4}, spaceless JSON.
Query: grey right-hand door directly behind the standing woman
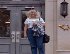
{"x":22,"y":44}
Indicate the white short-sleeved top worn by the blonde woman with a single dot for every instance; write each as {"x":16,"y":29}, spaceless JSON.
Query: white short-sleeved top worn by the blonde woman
{"x":30,"y":21}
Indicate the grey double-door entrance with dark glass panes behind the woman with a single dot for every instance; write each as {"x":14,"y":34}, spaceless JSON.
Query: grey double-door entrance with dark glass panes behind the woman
{"x":12,"y":39}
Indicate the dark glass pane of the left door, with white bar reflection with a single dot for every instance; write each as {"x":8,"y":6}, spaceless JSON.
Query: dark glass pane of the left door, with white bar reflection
{"x":4,"y":23}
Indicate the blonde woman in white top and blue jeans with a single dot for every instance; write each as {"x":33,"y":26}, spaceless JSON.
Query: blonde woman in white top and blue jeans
{"x":36,"y":41}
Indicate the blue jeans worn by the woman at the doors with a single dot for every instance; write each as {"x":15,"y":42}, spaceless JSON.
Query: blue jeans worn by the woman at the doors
{"x":35,"y":42}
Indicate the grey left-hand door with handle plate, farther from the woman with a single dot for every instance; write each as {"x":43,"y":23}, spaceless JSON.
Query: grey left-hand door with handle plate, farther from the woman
{"x":7,"y":32}
